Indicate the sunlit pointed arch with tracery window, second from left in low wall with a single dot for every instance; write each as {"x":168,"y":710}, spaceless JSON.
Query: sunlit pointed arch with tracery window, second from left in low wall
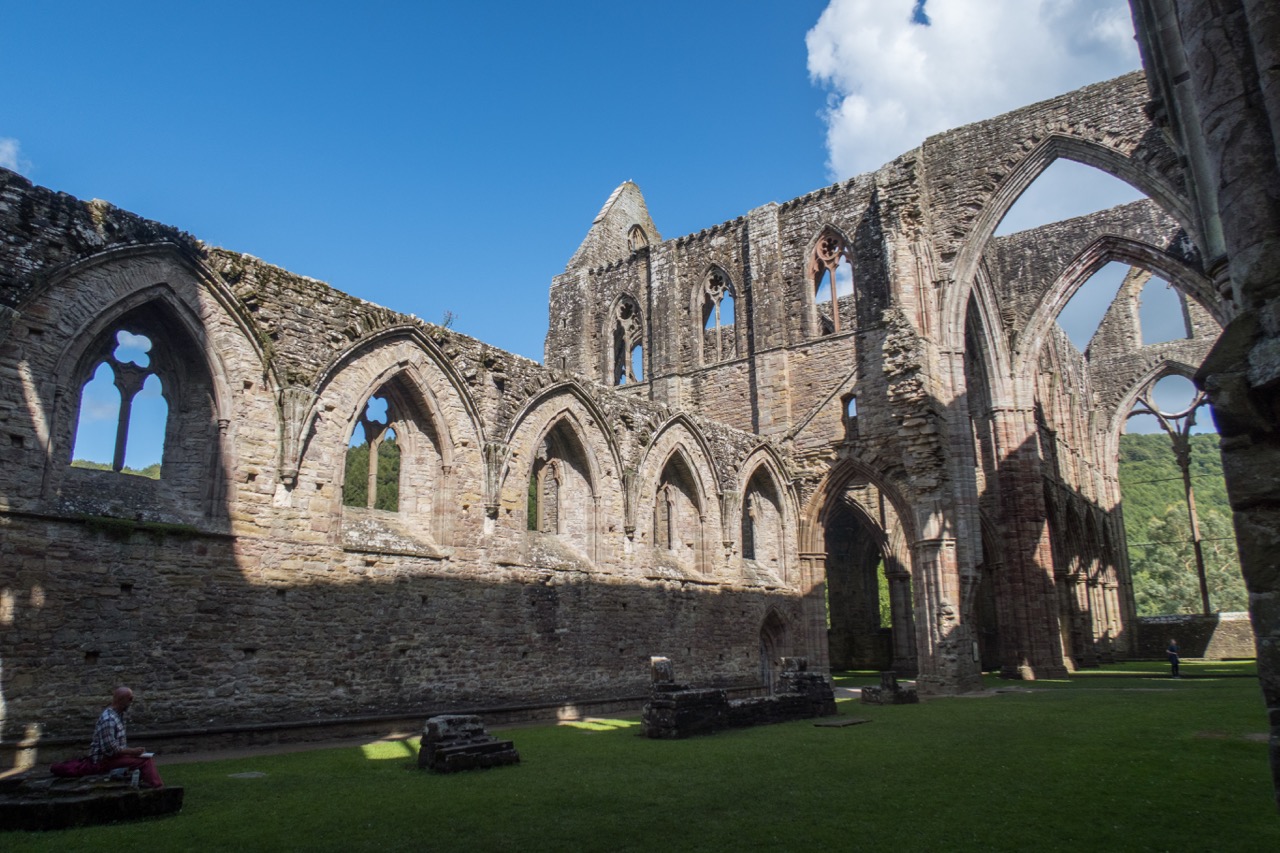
{"x":388,"y":439}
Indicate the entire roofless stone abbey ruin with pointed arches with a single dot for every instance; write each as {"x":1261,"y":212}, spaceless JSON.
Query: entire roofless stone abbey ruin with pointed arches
{"x":716,"y":454}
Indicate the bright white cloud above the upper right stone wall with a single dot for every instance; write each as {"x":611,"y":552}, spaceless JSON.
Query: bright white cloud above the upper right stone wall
{"x":894,"y":83}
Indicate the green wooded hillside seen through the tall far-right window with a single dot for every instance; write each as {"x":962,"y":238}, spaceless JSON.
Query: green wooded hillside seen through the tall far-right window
{"x":1162,"y":555}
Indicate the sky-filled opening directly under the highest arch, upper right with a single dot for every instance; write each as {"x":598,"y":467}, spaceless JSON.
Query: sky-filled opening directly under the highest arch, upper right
{"x":1063,"y":191}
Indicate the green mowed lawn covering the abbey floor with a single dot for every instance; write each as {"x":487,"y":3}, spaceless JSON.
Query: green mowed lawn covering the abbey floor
{"x":1116,"y":760}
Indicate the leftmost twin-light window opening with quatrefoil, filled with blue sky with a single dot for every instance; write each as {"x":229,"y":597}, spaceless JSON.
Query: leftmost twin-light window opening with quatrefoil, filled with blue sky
{"x":124,"y":412}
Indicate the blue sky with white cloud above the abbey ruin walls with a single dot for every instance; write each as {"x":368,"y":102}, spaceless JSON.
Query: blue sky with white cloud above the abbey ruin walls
{"x":437,"y":157}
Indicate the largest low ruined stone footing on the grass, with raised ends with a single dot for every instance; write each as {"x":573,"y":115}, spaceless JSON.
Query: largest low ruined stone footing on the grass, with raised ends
{"x":679,"y":711}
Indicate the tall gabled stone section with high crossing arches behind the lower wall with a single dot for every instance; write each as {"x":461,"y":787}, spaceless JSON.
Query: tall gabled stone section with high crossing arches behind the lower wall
{"x":939,"y":418}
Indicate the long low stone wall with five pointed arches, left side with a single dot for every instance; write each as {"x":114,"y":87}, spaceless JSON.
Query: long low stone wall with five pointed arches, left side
{"x":240,"y":590}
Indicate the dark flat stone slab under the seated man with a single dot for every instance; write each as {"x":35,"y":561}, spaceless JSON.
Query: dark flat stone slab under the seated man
{"x":51,"y":804}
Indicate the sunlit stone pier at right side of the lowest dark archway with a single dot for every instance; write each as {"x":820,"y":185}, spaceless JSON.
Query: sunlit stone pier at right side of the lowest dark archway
{"x":948,"y":650}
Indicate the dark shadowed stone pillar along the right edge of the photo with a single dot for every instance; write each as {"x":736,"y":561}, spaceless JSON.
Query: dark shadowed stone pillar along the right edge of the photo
{"x":1224,"y":53}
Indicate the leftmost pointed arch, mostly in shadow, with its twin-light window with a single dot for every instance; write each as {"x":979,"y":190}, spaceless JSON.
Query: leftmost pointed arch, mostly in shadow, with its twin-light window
{"x":136,"y":322}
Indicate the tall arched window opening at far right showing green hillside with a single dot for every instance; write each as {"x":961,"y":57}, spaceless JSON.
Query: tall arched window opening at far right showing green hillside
{"x":1177,"y":517}
